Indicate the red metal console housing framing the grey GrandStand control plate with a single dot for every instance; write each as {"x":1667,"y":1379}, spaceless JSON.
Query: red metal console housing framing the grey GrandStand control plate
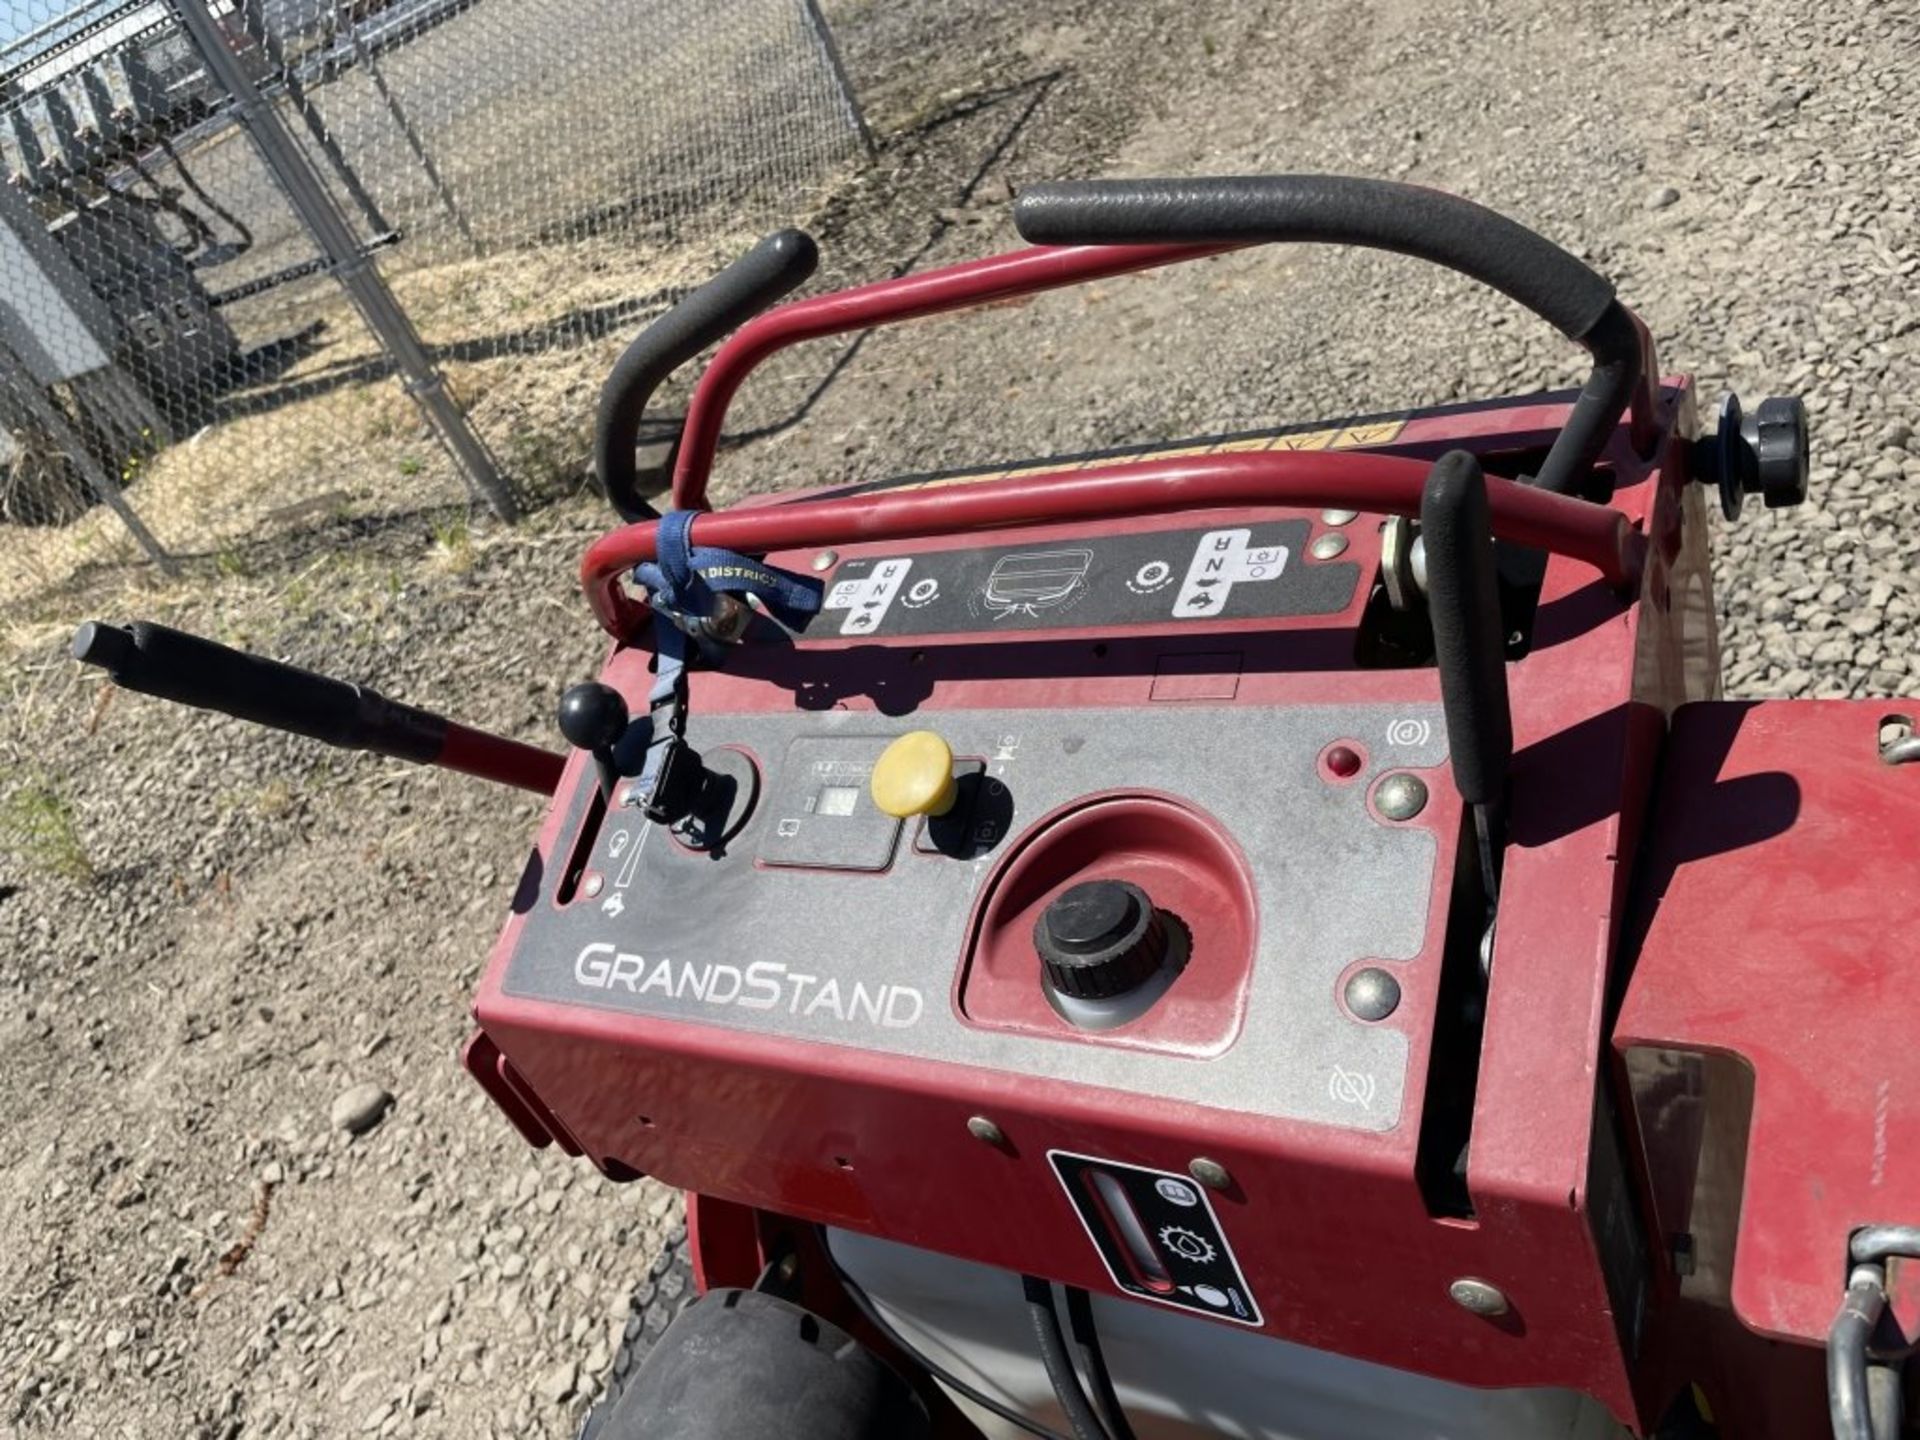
{"x":878,"y":1143}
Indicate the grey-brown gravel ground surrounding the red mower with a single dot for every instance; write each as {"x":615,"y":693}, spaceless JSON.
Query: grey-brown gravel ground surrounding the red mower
{"x":212,"y":940}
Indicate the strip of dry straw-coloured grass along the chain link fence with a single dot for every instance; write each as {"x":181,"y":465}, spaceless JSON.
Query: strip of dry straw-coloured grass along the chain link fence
{"x":523,"y":339}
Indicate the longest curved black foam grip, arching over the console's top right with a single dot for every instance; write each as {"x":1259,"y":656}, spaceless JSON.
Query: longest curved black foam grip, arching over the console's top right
{"x":1381,"y":216}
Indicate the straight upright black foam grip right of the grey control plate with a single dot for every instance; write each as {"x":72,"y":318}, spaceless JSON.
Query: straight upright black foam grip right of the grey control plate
{"x":1470,"y":638}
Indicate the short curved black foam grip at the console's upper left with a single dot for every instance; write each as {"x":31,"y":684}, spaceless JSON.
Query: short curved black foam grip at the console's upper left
{"x":742,"y":291}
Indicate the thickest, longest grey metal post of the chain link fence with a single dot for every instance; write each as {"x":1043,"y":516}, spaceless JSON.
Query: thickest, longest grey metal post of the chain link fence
{"x":348,"y":262}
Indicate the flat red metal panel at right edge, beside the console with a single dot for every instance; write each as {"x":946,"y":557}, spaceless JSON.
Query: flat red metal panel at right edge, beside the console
{"x":1779,"y":909}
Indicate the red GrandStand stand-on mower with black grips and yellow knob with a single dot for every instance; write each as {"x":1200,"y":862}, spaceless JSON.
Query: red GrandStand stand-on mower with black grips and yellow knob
{"x":1268,"y":936}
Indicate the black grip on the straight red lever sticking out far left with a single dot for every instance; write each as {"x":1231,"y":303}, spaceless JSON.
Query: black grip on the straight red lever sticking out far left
{"x":210,"y":677}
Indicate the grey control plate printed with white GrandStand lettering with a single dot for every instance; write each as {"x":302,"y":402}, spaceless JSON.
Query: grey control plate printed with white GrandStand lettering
{"x":871,"y":959}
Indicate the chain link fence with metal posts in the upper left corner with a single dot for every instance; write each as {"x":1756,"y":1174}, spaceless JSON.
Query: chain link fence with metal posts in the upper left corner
{"x":181,"y":341}
